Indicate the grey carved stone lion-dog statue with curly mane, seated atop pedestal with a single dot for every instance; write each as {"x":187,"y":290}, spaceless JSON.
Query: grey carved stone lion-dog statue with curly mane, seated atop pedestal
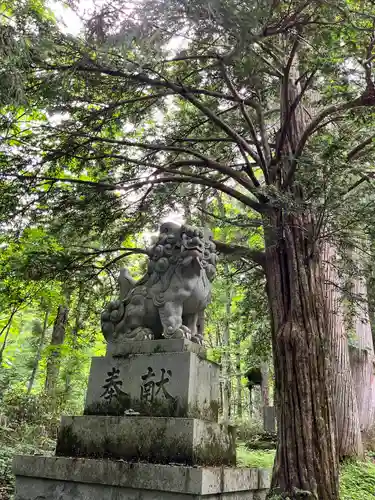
{"x":169,"y":301}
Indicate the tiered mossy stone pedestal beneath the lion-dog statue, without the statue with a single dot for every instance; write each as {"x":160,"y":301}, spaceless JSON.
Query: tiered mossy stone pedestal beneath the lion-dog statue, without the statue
{"x":149,"y":432}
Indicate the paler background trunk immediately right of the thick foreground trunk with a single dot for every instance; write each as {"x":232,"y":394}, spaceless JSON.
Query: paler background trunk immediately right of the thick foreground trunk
{"x":349,"y":438}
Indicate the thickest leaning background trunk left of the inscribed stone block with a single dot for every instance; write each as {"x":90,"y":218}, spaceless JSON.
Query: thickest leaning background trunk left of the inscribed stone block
{"x":54,"y":359}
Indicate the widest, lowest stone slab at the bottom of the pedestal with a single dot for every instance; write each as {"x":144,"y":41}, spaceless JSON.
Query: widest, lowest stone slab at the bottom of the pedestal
{"x":56,"y":478}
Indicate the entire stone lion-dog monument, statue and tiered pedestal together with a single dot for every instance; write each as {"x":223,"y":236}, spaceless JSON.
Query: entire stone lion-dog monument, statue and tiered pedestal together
{"x":150,"y":427}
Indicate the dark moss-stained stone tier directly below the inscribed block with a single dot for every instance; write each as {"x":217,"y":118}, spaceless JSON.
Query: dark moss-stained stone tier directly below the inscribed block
{"x":151,"y":439}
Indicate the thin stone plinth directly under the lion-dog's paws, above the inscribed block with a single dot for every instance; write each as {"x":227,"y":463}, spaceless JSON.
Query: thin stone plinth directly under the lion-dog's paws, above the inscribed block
{"x":121,"y":347}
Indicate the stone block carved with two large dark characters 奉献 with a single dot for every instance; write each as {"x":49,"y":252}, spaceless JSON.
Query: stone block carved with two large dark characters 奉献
{"x":178,"y":384}
